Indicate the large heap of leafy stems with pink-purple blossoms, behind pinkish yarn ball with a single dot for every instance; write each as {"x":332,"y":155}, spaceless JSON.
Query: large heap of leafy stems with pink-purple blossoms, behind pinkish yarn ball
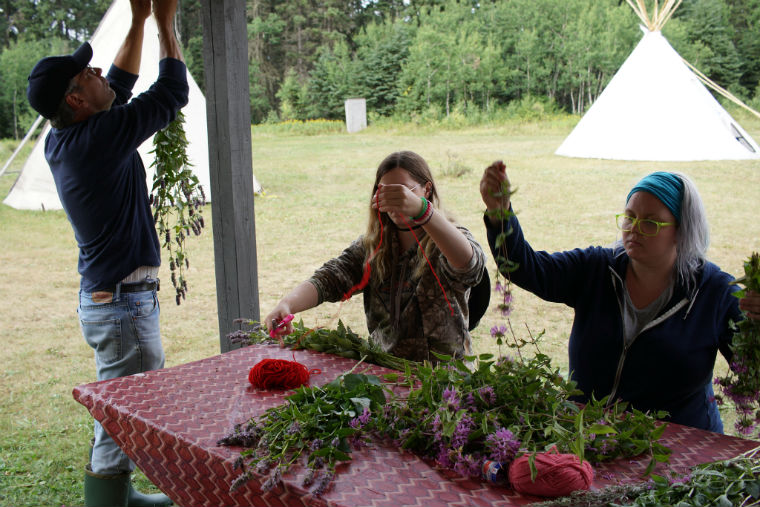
{"x":501,"y":408}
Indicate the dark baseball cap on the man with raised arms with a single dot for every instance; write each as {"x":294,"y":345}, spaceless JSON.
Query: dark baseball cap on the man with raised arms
{"x":50,"y":79}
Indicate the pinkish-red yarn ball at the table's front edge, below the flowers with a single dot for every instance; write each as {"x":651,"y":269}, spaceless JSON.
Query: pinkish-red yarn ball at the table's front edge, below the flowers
{"x":558,"y":475}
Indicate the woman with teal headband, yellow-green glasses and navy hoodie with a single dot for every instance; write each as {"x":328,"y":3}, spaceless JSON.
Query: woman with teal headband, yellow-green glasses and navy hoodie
{"x":651,"y":313}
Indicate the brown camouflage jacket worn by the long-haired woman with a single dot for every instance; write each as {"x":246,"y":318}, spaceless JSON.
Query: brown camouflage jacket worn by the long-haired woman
{"x":406,"y":315}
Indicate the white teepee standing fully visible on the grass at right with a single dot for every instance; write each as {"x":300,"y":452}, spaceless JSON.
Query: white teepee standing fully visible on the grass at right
{"x":656,"y":108}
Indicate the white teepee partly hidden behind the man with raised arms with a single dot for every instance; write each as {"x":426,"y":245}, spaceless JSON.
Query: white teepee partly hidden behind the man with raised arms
{"x":35,"y":189}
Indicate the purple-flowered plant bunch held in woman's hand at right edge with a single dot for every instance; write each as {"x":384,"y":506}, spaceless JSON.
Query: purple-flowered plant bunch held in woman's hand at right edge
{"x":742,"y":382}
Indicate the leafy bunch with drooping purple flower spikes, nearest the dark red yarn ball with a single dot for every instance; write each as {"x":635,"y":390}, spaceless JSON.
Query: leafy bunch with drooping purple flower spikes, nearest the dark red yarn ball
{"x":322,"y":423}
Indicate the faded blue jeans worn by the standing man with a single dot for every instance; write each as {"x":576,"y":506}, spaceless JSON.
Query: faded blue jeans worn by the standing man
{"x":126,"y":338}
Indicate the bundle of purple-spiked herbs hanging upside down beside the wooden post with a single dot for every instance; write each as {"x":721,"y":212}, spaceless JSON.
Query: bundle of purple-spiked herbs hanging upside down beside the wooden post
{"x":177,"y":198}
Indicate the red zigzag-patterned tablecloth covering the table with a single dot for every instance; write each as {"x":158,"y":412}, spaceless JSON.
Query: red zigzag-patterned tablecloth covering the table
{"x":168,"y":421}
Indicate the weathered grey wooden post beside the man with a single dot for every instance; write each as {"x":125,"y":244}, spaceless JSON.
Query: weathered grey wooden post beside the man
{"x":225,"y":55}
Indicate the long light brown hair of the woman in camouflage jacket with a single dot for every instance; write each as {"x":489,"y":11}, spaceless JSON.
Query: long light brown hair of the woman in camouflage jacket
{"x":418,"y":169}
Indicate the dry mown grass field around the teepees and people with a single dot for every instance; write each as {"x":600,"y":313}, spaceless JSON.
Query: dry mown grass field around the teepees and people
{"x":316,"y":190}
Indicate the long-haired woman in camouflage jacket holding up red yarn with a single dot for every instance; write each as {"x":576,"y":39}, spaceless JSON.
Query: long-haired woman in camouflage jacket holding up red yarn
{"x":407,"y":313}
